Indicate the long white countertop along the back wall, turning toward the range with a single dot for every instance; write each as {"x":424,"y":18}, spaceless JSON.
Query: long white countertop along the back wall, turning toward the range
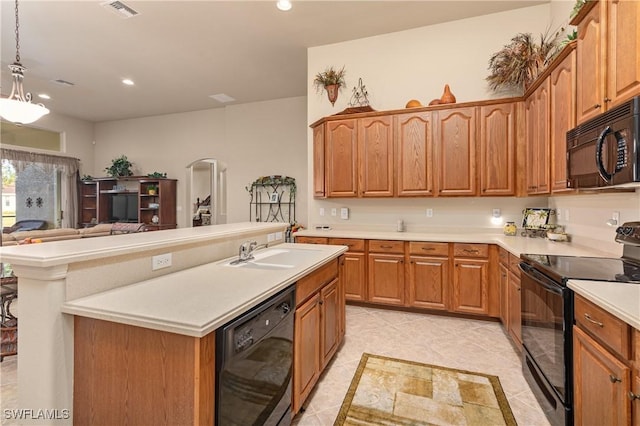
{"x":515,"y":245}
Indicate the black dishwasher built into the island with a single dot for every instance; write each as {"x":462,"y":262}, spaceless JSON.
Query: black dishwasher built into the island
{"x":254,"y":359}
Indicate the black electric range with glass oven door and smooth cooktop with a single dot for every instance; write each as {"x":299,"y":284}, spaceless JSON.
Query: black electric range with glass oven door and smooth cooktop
{"x":547,"y":316}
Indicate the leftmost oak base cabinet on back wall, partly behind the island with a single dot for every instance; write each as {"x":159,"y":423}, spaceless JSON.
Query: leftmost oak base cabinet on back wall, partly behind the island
{"x":353,"y":268}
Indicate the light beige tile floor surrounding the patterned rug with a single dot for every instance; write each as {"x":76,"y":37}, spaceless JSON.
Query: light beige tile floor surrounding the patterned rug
{"x":451,"y":342}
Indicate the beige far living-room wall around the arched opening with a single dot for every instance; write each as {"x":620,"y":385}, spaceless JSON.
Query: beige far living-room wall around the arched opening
{"x":255,"y":139}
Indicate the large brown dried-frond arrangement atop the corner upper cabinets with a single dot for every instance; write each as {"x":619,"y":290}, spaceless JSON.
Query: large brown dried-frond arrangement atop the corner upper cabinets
{"x":518,"y":63}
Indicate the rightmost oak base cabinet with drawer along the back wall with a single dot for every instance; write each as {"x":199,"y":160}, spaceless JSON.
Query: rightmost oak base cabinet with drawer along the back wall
{"x":471,"y":279}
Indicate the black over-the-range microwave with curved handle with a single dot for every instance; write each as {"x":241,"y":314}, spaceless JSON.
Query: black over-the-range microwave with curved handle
{"x":605,"y":151}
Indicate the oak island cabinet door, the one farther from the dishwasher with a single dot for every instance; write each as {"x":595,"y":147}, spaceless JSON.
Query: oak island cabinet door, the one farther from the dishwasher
{"x":329,"y":321}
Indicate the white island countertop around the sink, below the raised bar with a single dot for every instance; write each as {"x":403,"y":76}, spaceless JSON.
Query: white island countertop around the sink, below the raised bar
{"x":197,"y":301}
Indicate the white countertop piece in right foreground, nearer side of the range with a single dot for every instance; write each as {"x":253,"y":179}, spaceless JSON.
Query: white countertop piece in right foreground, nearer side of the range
{"x":620,"y":299}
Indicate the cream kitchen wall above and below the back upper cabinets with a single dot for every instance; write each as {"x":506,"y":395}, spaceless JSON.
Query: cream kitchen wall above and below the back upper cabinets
{"x":416,"y":64}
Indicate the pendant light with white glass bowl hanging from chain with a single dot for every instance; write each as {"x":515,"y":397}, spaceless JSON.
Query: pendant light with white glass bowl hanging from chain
{"x":18,"y":108}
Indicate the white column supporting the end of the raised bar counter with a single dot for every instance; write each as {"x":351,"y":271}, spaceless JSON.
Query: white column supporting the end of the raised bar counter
{"x":45,"y":346}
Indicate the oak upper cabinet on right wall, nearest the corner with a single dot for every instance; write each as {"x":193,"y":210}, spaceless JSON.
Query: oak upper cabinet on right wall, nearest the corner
{"x":537,"y":140}
